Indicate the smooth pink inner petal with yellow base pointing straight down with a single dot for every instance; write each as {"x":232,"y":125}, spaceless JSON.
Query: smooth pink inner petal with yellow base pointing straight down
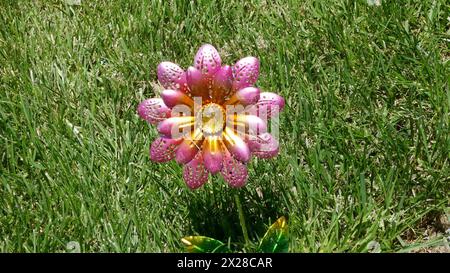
{"x":212,"y":154}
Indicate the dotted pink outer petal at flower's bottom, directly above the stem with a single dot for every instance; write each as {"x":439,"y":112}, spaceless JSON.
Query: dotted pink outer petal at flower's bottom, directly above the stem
{"x":234,"y":171}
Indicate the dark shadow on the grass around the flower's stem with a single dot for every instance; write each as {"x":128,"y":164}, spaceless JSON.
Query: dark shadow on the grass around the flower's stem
{"x":213,"y":212}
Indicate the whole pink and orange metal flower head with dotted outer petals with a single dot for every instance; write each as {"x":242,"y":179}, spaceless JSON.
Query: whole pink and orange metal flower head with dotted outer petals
{"x":211,"y":118}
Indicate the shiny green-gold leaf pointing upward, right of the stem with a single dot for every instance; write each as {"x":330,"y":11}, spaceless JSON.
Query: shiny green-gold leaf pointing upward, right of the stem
{"x":276,"y":238}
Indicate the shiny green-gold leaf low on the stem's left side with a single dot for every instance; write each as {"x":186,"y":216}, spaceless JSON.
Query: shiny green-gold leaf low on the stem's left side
{"x":202,"y":244}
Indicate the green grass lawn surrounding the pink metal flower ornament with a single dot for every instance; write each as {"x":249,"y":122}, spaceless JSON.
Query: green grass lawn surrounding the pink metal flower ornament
{"x":365,"y":134}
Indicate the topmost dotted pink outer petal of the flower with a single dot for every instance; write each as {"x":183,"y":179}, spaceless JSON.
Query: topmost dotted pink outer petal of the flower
{"x":207,"y":60}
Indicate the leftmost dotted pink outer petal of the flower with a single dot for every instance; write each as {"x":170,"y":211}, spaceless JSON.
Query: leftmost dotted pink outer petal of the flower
{"x":153,"y":110}
